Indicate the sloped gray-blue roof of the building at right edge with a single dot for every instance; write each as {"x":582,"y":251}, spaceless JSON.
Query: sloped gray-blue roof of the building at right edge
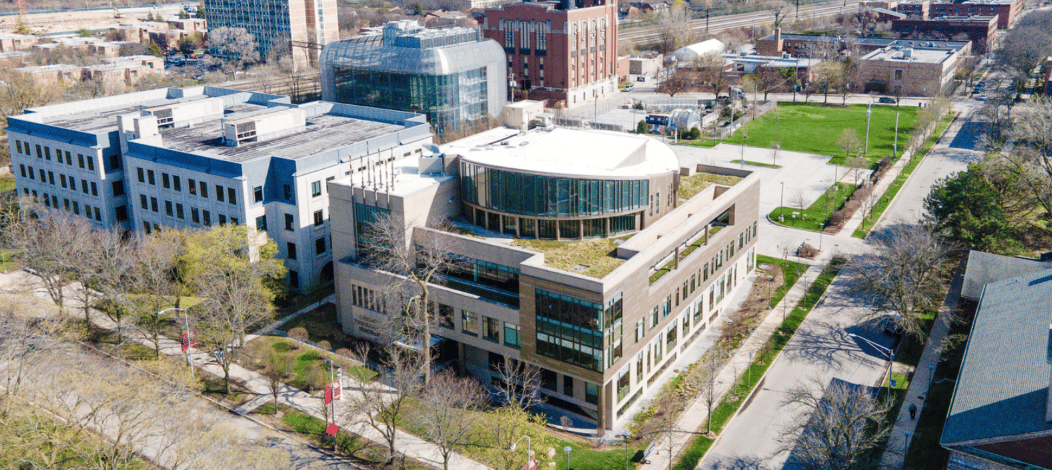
{"x":1004,"y":380}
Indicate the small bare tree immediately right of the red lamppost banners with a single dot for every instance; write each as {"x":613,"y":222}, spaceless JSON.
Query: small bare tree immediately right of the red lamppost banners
{"x":382,"y":405}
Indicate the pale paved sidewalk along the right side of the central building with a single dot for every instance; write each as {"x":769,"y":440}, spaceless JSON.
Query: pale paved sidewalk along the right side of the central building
{"x":697,"y":413}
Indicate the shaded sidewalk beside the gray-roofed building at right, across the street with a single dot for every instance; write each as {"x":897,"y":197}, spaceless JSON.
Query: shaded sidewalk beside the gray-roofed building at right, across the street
{"x":895,"y":454}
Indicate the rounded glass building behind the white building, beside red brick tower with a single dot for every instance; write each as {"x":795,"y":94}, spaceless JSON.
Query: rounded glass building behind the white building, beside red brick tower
{"x":451,"y":75}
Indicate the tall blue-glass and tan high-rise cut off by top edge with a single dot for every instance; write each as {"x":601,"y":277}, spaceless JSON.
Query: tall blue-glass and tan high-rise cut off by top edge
{"x":305,"y":27}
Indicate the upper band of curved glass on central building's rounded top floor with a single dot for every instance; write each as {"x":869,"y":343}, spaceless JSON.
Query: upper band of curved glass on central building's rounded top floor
{"x":544,"y":196}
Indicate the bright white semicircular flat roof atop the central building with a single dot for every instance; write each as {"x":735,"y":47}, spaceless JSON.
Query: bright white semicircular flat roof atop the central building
{"x":563,"y":152}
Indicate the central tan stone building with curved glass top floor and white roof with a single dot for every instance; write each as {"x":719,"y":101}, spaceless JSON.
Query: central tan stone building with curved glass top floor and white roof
{"x":604,"y":332}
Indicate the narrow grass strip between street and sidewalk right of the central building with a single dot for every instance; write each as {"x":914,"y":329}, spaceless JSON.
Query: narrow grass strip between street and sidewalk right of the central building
{"x":694,"y":453}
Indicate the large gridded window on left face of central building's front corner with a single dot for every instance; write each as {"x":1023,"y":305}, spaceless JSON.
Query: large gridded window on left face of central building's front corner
{"x":569,"y":330}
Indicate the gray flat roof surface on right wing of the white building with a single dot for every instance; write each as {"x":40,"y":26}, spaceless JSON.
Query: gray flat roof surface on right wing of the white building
{"x":322,"y":134}
